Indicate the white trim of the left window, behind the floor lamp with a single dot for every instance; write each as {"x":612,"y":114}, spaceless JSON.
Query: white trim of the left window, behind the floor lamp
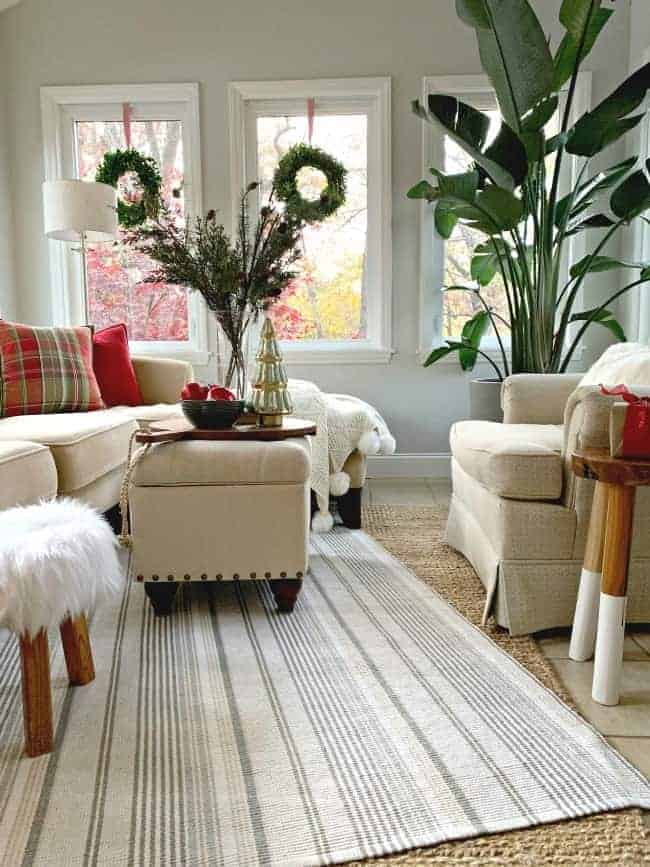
{"x":56,"y":108}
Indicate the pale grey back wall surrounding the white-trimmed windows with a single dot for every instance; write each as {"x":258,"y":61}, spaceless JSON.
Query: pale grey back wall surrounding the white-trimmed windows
{"x":214,"y":42}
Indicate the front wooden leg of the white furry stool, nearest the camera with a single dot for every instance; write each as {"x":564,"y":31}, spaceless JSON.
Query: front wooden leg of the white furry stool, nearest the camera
{"x":37,"y":695}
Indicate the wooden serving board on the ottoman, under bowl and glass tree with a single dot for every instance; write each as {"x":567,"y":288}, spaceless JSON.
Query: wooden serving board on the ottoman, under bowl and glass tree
{"x":174,"y":430}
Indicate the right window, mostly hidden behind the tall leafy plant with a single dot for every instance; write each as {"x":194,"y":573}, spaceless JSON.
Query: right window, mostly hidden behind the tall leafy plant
{"x":447,"y":263}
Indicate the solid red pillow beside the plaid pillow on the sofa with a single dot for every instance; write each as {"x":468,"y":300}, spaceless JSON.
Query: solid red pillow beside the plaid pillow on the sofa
{"x":114,"y":368}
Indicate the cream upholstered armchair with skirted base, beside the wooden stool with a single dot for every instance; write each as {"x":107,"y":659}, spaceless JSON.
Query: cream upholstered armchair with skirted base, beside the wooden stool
{"x":518,"y":513}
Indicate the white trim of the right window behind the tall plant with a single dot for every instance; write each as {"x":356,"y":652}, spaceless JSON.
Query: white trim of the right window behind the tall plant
{"x":432,"y":246}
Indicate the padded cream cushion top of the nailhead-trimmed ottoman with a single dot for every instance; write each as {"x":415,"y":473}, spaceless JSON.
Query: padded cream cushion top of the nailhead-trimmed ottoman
{"x":214,"y":462}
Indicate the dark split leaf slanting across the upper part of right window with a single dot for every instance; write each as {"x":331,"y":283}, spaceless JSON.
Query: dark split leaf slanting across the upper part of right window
{"x":502,"y":157}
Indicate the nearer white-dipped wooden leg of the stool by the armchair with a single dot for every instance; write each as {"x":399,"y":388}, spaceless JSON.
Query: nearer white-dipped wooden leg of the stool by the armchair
{"x":613,"y":597}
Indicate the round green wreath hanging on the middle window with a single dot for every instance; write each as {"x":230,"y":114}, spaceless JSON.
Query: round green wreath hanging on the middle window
{"x":286,"y":186}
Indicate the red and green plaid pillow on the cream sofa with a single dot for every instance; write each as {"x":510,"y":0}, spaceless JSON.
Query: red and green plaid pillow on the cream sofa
{"x":45,"y":370}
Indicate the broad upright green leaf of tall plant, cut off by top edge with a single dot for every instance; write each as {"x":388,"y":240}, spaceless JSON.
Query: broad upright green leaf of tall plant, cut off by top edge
{"x":515,"y":54}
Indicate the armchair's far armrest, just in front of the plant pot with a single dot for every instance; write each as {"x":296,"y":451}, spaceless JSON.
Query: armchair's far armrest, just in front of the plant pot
{"x":537,"y":398}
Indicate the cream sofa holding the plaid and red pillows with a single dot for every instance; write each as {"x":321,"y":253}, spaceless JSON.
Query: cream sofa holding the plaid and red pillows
{"x":83,"y":455}
